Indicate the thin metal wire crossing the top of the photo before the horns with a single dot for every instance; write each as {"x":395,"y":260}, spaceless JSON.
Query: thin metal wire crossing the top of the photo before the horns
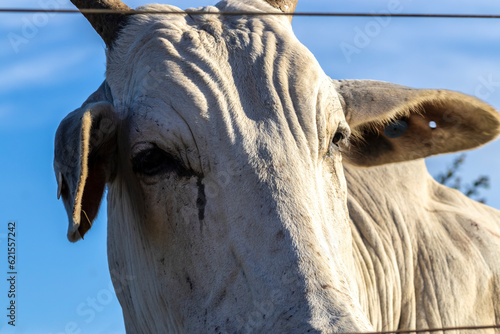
{"x":170,"y":12}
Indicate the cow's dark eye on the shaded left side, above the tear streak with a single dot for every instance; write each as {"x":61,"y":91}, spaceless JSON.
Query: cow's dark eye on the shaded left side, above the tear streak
{"x":154,"y":161}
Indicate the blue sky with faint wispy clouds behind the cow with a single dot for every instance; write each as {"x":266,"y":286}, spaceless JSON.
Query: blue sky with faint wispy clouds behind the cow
{"x":65,"y":288}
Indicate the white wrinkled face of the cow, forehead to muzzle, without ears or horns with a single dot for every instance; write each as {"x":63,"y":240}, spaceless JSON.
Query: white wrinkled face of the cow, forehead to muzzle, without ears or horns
{"x":242,"y":103}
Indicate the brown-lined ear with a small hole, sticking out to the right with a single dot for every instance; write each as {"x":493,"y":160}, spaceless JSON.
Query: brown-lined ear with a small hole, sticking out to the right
{"x":393,"y":123}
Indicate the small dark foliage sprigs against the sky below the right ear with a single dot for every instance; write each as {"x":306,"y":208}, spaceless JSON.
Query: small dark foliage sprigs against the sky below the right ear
{"x":452,"y":179}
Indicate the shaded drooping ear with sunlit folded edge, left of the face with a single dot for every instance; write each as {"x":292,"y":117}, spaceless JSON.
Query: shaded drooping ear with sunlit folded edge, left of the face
{"x":83,"y":160}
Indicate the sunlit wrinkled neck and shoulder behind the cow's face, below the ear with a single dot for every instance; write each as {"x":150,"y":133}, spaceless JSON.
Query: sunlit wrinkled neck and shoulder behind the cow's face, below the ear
{"x":423,"y":248}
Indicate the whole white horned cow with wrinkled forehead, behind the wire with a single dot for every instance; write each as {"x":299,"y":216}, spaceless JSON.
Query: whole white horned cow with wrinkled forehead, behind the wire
{"x":236,"y":203}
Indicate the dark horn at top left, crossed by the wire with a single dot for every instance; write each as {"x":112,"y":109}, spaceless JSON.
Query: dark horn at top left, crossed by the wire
{"x":106,"y":25}
